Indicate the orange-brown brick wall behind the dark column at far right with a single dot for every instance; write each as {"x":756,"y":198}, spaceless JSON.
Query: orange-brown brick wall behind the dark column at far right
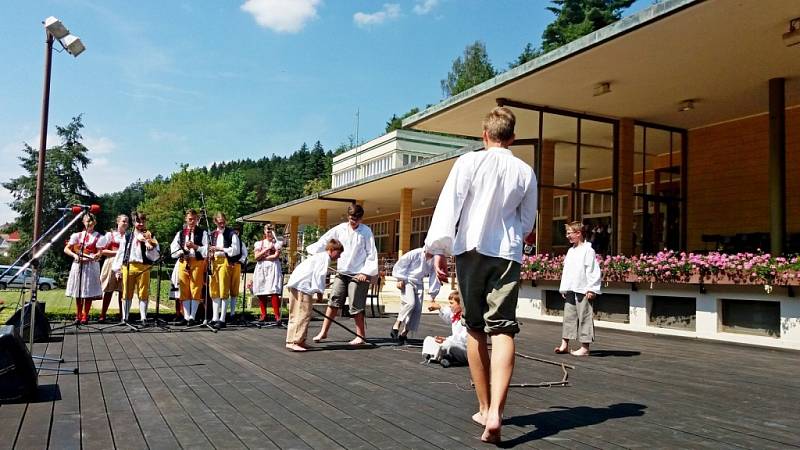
{"x":727,"y":178}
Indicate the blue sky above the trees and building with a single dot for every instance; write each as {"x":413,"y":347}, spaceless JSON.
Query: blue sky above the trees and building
{"x":169,"y":82}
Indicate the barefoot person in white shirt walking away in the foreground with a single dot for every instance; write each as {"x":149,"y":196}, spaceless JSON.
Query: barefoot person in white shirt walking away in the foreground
{"x":491,"y":195}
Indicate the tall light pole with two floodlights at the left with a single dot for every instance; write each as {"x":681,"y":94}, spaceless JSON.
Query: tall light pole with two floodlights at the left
{"x":54,"y":29}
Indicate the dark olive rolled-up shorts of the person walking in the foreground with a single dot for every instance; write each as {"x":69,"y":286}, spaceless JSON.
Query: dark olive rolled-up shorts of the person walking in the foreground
{"x":489,"y":288}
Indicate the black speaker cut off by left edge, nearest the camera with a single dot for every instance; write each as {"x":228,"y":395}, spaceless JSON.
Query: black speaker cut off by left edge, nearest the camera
{"x":17,"y":372}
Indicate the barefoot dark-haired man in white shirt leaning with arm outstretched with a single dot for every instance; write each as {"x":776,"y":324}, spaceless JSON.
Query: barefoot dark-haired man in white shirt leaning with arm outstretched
{"x":355,"y":267}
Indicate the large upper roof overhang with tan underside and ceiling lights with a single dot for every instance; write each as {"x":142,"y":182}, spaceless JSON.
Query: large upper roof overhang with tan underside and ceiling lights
{"x":721,"y":53}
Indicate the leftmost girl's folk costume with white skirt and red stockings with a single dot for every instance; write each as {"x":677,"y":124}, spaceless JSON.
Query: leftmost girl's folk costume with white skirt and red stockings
{"x":84,"y":275}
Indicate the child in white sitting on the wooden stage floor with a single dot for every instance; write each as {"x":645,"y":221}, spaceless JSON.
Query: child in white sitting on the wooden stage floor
{"x":452,"y":349}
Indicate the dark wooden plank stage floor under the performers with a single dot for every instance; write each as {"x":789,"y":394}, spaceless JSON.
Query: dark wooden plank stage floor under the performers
{"x":240,"y":388}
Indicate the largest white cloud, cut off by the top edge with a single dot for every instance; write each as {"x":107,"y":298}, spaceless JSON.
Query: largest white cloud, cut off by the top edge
{"x":282,"y":16}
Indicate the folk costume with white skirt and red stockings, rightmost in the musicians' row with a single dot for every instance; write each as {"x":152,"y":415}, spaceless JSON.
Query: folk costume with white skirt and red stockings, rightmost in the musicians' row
{"x":268,"y":277}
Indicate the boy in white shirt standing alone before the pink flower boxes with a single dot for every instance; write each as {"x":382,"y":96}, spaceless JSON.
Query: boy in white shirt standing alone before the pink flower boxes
{"x":580,"y":285}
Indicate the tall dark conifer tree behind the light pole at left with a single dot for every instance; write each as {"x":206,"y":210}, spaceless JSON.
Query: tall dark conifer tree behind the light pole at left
{"x":63,"y":185}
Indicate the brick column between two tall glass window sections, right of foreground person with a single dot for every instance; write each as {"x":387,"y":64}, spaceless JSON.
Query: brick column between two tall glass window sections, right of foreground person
{"x":624,"y":222}
